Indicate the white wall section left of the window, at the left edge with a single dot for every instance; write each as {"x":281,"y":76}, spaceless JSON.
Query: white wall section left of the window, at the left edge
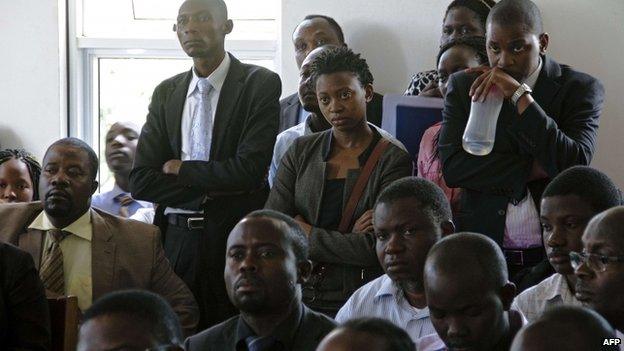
{"x":32,"y":88}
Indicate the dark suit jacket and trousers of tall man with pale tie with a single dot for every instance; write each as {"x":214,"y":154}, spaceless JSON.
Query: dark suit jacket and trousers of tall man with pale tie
{"x":245,"y":128}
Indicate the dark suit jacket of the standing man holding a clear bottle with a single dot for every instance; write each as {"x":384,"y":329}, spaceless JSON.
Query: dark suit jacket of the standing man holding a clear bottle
{"x":558,"y":130}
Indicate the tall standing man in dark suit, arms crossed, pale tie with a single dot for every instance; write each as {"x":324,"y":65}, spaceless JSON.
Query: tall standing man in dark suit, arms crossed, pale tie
{"x":204,"y":152}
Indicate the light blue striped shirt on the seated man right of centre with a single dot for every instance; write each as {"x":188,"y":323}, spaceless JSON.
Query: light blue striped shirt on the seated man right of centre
{"x":382,"y":298}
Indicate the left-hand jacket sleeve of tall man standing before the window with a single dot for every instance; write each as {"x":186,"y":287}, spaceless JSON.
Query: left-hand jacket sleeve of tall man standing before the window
{"x":147,"y":181}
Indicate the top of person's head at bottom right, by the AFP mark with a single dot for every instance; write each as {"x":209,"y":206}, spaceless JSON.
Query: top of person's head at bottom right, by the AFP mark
{"x":569,"y":328}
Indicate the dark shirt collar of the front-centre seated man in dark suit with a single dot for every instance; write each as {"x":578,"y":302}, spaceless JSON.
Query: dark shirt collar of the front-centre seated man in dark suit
{"x":285,"y":332}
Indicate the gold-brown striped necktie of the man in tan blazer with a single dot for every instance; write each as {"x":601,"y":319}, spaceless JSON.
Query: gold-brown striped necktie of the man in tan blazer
{"x":51,"y":271}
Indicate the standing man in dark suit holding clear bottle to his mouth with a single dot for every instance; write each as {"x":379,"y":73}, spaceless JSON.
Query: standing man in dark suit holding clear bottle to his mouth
{"x":548,"y":122}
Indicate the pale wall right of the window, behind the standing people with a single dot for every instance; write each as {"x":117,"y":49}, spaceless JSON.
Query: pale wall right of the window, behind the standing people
{"x":400,"y":37}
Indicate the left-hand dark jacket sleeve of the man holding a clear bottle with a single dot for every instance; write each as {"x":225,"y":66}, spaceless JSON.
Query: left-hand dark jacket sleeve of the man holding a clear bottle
{"x":498,"y":173}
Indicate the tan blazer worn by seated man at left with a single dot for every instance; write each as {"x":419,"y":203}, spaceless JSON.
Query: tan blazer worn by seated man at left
{"x":126,"y":254}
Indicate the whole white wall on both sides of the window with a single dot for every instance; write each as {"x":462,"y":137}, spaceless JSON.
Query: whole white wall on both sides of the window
{"x":398,"y":38}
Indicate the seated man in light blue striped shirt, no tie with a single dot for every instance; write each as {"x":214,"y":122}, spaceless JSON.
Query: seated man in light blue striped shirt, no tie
{"x":410,"y":216}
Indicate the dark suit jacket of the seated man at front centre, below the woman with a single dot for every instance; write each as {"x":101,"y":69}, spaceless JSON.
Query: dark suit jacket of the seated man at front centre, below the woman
{"x":223,"y":337}
